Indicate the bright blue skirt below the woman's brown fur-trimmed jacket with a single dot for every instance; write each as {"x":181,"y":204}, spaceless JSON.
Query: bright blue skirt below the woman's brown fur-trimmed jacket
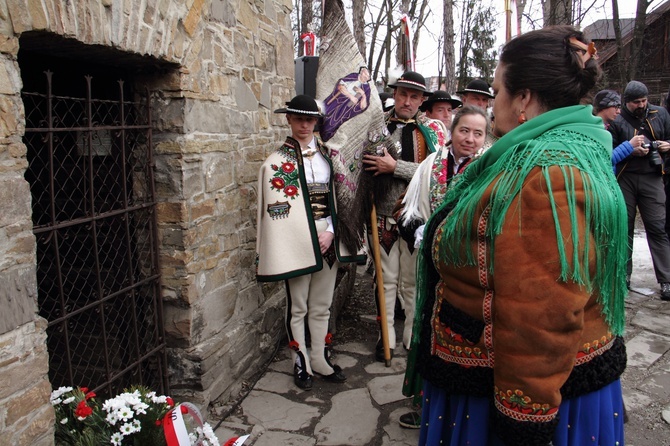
{"x":460,"y":420}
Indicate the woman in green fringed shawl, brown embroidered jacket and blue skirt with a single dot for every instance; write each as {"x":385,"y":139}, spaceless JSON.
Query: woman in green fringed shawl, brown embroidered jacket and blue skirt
{"x":521,"y":277}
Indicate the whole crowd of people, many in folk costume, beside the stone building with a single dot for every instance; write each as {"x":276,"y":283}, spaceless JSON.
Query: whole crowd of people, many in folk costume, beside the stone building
{"x":505,"y":224}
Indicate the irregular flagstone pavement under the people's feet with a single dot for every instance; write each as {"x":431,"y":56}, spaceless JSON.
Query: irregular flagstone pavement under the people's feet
{"x":365,"y":409}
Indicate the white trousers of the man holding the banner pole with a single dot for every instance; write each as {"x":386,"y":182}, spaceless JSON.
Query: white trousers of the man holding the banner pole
{"x":399,"y":273}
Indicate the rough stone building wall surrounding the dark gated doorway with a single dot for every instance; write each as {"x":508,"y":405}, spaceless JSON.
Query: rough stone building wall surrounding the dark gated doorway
{"x":214,"y":126}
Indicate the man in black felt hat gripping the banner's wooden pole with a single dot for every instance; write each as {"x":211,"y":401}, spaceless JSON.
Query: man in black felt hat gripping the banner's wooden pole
{"x":415,"y":136}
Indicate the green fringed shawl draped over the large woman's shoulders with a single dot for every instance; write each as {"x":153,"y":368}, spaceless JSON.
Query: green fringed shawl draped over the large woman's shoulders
{"x":574,"y":140}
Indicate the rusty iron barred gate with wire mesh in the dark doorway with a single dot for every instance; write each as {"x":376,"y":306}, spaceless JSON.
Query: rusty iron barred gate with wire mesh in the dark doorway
{"x":91,"y":178}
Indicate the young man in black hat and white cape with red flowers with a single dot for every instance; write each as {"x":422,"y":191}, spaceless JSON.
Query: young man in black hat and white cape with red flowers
{"x":296,"y":239}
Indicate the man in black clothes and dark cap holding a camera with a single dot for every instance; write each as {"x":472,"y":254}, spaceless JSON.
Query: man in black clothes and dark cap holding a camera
{"x":640,"y":175}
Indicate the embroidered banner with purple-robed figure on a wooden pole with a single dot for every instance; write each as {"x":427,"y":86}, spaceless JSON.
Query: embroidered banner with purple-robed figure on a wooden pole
{"x":353,"y":120}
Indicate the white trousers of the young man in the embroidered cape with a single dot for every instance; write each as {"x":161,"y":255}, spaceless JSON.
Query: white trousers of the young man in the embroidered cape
{"x":310,"y":297}
